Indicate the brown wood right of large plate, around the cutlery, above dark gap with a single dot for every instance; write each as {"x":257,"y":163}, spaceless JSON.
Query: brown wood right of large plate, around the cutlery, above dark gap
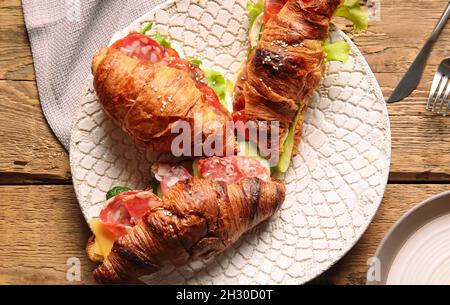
{"x":420,"y":139}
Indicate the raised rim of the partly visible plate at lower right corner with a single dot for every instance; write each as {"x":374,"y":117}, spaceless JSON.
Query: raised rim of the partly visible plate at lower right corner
{"x":392,"y":232}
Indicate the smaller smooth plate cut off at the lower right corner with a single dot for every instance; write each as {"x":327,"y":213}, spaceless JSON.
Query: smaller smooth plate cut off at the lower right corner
{"x":416,"y":250}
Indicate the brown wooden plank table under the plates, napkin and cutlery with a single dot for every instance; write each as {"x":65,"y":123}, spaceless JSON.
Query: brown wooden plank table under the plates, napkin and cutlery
{"x":41,"y":225}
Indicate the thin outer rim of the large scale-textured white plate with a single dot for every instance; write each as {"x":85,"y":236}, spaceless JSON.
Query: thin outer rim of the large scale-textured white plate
{"x":375,"y":86}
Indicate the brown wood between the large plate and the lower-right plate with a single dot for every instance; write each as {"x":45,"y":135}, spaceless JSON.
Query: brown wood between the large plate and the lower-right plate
{"x":352,"y":269}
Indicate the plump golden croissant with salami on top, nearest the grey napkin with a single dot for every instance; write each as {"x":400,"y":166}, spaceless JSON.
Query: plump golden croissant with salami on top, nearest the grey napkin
{"x":146,"y":89}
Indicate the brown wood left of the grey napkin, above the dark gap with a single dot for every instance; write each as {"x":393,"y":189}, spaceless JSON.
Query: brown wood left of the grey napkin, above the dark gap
{"x":29,"y":151}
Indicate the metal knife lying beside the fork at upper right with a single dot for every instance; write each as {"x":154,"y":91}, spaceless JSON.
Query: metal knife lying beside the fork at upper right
{"x":412,"y":77}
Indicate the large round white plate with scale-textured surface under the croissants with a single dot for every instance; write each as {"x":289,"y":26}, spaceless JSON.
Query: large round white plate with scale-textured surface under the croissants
{"x":334,"y":187}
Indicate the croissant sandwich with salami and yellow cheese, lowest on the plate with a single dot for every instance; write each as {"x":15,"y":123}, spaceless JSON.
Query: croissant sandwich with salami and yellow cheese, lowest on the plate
{"x":197,"y":217}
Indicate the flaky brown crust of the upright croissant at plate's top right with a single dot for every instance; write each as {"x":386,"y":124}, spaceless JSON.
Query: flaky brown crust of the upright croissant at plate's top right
{"x":288,"y":64}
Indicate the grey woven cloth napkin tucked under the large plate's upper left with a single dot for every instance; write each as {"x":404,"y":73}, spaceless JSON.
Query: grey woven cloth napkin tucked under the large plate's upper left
{"x":64,"y":35}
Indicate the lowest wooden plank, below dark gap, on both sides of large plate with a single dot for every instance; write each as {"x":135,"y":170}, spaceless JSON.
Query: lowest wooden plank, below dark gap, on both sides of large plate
{"x":42,"y":227}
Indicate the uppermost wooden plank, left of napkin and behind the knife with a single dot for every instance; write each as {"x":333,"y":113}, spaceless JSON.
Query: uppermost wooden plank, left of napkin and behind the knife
{"x":388,"y":44}
